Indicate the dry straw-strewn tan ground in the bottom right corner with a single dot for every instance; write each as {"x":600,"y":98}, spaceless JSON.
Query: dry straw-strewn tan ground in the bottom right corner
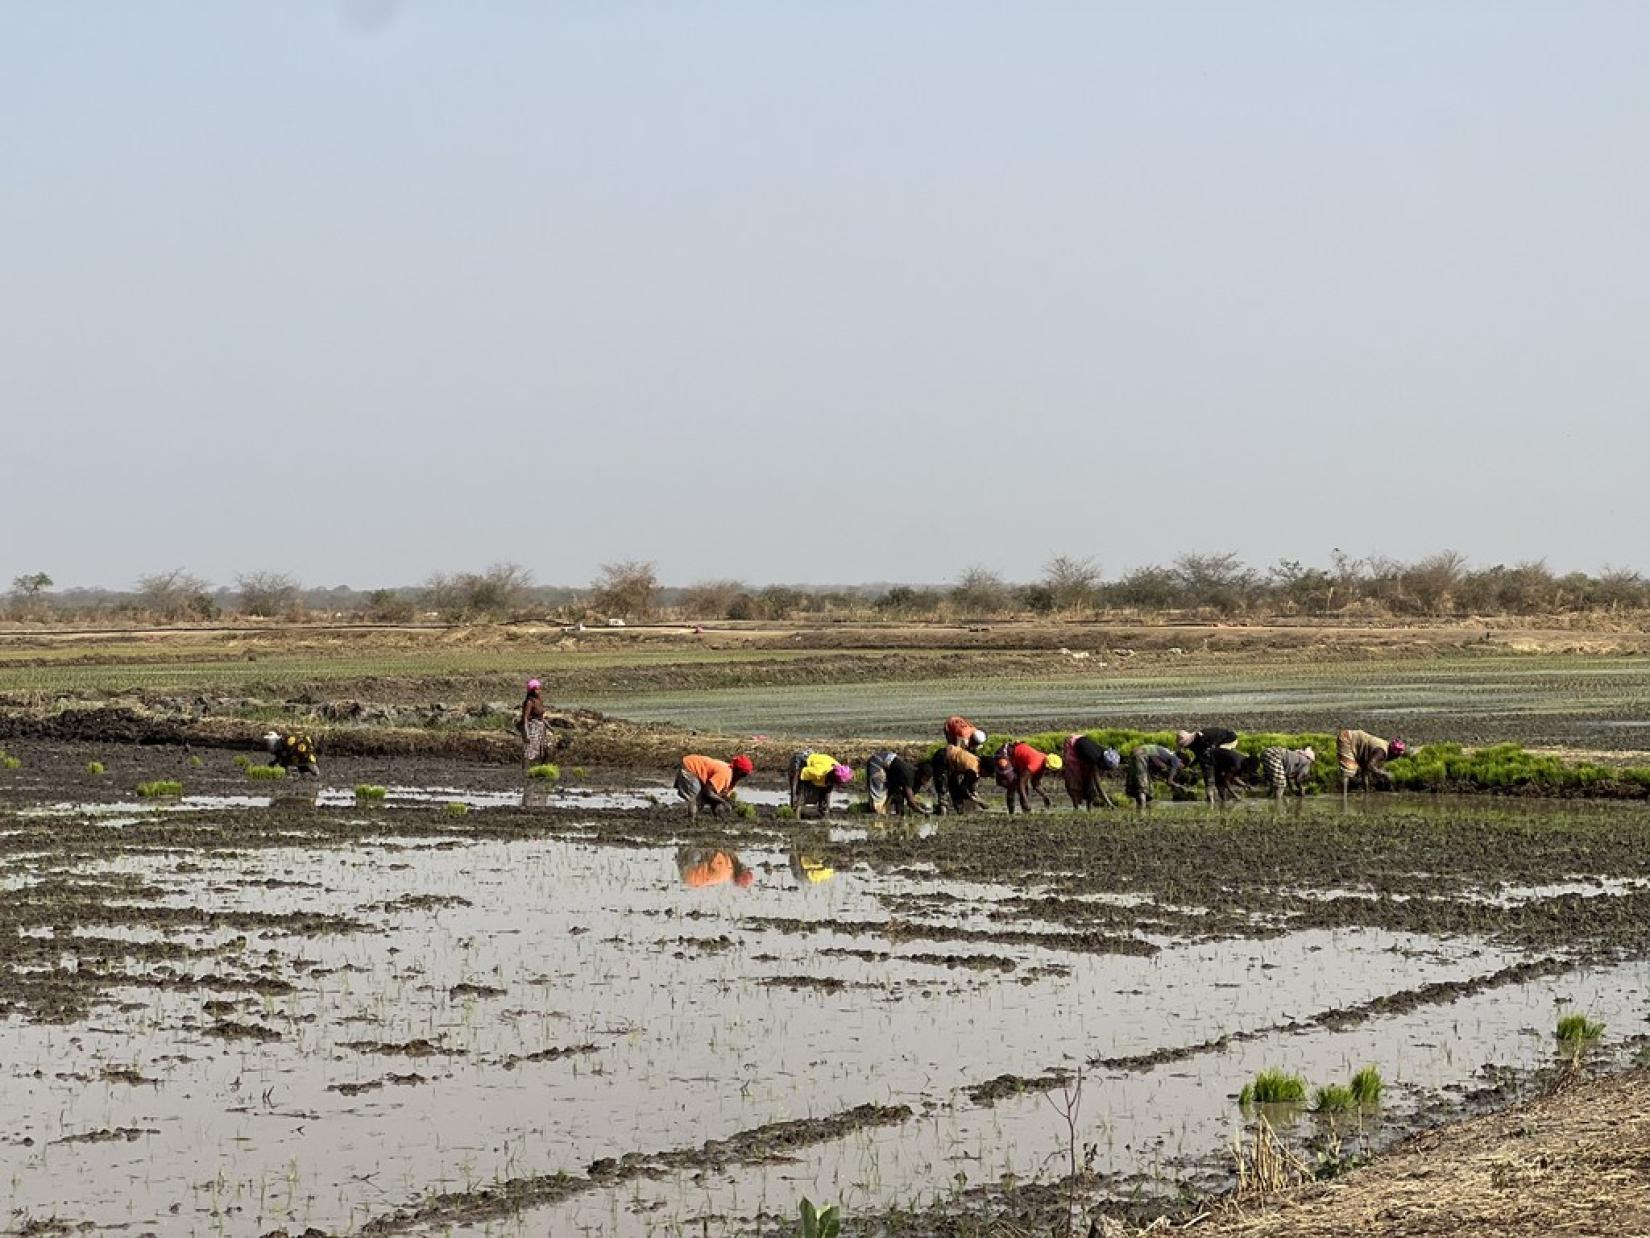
{"x":1577,"y":1163}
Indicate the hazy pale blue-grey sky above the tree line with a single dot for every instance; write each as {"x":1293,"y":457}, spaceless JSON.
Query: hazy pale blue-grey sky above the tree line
{"x":819,"y":291}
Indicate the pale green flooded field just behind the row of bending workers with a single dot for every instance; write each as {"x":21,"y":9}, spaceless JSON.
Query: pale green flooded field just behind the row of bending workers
{"x":1550,"y":701}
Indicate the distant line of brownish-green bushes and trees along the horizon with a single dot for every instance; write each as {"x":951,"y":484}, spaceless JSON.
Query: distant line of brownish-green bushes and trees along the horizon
{"x":1195,"y":585}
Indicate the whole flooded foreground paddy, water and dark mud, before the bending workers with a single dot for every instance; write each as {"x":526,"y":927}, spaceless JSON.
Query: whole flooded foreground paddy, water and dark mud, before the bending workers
{"x":572,"y":1011}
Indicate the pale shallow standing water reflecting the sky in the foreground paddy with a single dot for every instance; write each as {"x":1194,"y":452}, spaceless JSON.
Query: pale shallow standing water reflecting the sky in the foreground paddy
{"x":527,"y":1009}
